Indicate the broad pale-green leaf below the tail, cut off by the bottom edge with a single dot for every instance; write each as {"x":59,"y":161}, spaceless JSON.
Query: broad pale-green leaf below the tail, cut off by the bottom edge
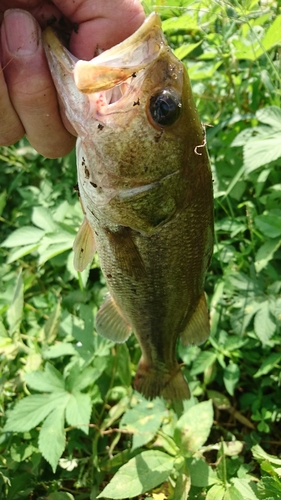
{"x":142,"y":473}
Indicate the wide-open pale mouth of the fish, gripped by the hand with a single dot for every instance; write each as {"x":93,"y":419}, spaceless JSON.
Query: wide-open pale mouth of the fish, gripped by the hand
{"x":117,"y":73}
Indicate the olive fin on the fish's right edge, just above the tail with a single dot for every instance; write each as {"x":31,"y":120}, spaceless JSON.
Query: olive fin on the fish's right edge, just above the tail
{"x":198,"y":327}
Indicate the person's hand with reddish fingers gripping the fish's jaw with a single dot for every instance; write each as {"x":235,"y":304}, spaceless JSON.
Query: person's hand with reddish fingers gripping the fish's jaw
{"x":28,"y":100}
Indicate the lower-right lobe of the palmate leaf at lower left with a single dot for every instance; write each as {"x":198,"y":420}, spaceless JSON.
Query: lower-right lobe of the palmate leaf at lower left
{"x":78,"y":411}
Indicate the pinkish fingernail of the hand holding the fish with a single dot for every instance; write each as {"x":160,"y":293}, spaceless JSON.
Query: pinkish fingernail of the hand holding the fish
{"x":21,"y":32}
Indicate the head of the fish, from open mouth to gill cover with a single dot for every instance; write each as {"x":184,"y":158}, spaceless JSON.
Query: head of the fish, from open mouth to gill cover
{"x":138,"y":128}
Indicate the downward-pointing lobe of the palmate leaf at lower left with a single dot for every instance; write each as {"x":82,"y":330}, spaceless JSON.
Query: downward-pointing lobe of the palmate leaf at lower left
{"x":52,"y":437}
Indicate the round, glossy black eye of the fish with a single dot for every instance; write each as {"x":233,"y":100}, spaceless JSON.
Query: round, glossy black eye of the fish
{"x":165,"y":107}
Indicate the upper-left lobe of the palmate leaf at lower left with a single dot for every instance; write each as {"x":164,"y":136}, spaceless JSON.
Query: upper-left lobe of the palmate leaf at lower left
{"x":49,"y":380}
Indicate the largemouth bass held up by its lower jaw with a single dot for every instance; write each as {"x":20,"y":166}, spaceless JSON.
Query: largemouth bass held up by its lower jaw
{"x":146,"y":192}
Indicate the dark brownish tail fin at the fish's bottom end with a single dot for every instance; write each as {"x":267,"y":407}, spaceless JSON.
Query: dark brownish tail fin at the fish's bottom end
{"x":151,"y":383}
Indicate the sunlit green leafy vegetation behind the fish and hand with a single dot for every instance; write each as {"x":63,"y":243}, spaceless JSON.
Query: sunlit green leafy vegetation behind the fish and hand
{"x":72,"y":426}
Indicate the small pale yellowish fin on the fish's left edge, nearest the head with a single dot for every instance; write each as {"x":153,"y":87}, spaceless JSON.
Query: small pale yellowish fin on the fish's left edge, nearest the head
{"x":84,"y":246}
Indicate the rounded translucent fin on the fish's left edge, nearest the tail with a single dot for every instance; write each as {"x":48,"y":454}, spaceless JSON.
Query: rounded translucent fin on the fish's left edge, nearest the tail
{"x":110,"y":322}
